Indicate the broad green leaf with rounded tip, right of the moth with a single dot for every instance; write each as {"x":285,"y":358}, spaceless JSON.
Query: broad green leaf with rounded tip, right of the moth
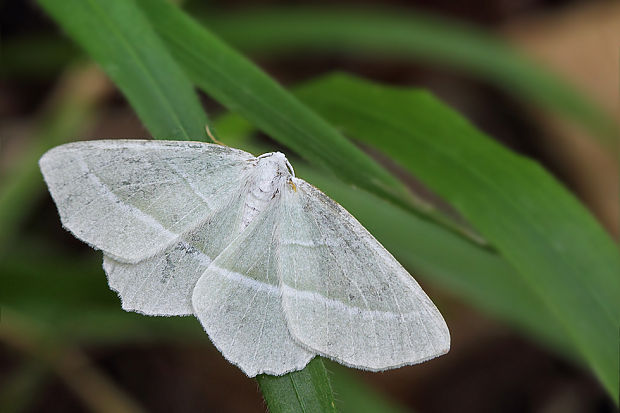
{"x":552,"y":241}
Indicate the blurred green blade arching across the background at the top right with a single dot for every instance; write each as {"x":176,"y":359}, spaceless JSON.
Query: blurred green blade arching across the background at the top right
{"x":400,"y":34}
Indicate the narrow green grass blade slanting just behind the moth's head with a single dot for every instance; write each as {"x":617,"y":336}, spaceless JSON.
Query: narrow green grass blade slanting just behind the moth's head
{"x":243,"y":88}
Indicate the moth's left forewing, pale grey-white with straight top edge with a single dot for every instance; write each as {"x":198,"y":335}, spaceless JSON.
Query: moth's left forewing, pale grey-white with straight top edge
{"x":133,"y":198}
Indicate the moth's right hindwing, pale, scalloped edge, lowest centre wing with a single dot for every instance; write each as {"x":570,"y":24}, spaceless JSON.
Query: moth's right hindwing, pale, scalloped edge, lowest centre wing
{"x":237,"y":300}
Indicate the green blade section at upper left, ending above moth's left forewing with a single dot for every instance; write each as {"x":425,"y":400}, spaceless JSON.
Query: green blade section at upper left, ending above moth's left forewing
{"x":117,"y":35}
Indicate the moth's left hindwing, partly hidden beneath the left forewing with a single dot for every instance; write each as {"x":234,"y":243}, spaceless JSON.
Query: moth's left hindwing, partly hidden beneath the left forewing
{"x":163,"y":284}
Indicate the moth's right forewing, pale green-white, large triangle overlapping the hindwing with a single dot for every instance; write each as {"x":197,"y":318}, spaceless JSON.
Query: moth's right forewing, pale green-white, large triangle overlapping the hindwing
{"x":344,"y":296}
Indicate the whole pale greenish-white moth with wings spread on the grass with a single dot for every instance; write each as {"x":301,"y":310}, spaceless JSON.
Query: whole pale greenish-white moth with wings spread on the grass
{"x":276,"y":271}
